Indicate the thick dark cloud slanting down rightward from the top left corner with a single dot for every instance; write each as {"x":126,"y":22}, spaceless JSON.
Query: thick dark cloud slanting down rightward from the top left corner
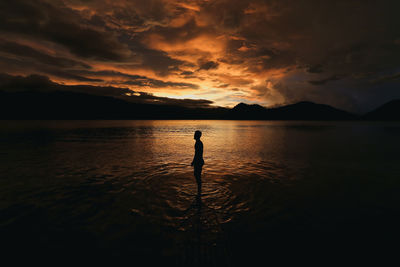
{"x":40,"y":19}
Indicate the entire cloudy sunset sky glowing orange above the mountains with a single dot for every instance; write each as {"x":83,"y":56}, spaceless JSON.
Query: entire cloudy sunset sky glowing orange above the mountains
{"x":204,"y":53}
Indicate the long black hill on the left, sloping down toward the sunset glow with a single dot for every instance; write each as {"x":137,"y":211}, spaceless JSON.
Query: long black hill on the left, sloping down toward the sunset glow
{"x":71,"y":105}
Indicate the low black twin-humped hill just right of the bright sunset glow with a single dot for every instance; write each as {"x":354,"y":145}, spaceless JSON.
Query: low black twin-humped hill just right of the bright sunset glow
{"x":298,"y":111}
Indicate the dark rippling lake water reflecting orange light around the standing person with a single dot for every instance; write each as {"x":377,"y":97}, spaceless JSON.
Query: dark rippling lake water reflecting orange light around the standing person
{"x":124,"y":191}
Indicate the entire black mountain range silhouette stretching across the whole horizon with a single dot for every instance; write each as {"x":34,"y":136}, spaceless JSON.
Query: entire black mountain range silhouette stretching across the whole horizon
{"x":74,"y":105}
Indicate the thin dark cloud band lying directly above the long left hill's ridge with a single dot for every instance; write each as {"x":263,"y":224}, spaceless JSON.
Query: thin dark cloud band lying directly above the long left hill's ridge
{"x":39,"y":83}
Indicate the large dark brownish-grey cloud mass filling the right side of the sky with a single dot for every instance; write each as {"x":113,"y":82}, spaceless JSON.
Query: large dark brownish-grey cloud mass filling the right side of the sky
{"x":354,"y":39}
